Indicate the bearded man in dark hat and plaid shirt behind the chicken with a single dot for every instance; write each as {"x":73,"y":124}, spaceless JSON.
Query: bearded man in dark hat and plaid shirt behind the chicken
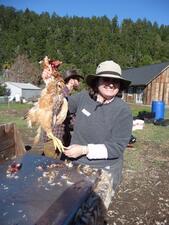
{"x":63,"y":131}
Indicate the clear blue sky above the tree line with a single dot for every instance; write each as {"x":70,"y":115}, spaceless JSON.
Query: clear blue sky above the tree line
{"x":152,"y":10}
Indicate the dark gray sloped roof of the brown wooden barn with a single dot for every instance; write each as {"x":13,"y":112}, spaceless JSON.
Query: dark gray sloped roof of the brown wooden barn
{"x":143,"y":75}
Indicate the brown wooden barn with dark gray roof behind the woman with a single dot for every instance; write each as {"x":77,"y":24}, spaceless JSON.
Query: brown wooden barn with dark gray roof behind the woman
{"x":148,"y":83}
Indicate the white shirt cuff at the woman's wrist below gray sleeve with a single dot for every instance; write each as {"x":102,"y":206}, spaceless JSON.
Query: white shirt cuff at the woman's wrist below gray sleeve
{"x":97,"y":151}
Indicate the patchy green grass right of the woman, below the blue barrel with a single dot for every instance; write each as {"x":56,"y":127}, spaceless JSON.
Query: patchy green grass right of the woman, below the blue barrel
{"x":150,"y":137}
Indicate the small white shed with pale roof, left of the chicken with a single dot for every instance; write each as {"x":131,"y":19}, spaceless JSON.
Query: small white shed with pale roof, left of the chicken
{"x":22,"y":91}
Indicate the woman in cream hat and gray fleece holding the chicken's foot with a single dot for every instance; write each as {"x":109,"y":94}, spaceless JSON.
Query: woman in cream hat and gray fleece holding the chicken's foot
{"x":103,"y":122}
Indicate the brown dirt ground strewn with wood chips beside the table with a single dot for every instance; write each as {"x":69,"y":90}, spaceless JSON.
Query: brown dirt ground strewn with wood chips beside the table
{"x":143,"y":196}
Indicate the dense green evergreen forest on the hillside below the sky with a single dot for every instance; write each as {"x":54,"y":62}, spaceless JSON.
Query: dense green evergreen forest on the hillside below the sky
{"x":79,"y":42}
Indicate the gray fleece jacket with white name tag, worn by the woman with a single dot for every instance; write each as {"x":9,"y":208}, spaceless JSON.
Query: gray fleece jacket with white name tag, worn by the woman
{"x":109,"y":124}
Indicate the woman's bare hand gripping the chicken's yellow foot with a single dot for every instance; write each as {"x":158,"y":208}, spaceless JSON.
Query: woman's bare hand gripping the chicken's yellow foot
{"x":74,"y":151}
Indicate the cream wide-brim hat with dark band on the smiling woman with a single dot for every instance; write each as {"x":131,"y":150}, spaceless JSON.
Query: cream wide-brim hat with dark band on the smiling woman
{"x":108,"y":69}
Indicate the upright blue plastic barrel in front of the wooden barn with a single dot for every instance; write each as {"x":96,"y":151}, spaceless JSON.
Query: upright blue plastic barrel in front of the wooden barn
{"x":158,"y":107}
